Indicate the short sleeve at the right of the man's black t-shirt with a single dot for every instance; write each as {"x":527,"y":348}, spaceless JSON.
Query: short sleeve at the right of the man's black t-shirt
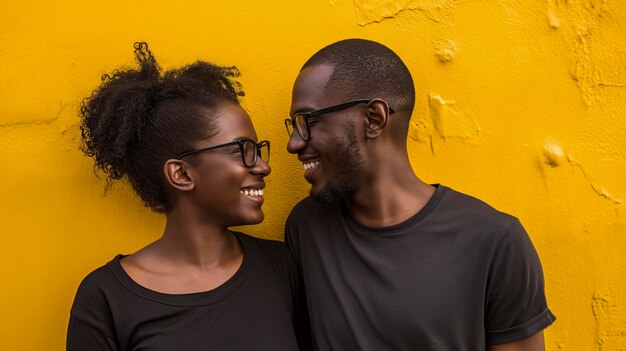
{"x":516,"y":305}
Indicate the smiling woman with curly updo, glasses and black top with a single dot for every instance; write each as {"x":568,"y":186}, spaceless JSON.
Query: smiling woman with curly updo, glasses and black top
{"x":190,"y":151}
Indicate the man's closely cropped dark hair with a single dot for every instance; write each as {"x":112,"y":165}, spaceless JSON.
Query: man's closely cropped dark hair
{"x":367,"y":69}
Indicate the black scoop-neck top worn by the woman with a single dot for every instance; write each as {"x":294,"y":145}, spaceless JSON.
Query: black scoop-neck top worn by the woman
{"x":253,"y":310}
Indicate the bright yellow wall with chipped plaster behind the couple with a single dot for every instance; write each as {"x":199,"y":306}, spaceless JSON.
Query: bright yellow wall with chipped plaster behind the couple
{"x":520,"y":102}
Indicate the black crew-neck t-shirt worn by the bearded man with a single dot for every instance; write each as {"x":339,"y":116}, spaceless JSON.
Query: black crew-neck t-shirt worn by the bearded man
{"x":458,"y":275}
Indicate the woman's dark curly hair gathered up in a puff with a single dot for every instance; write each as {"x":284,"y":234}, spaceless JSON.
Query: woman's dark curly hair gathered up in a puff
{"x":140,"y":117}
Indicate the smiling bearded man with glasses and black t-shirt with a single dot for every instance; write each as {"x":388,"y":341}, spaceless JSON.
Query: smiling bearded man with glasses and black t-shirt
{"x":390,"y":262}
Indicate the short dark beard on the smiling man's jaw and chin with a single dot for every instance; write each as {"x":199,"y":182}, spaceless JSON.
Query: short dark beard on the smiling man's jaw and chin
{"x":350,"y":160}
